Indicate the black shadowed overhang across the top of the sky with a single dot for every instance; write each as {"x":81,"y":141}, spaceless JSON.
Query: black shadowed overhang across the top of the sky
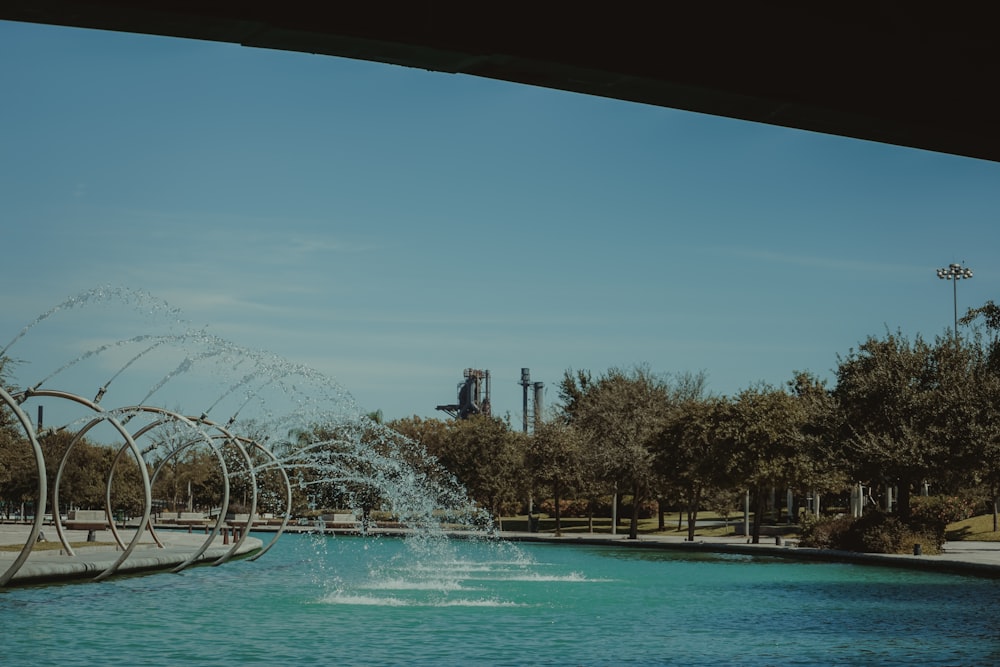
{"x":904,"y":73}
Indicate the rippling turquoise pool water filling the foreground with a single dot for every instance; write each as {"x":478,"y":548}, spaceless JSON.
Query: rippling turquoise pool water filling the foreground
{"x":384,"y":601}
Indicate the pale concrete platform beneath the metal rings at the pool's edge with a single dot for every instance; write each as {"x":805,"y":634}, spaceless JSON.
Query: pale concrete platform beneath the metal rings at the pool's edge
{"x":89,"y":562}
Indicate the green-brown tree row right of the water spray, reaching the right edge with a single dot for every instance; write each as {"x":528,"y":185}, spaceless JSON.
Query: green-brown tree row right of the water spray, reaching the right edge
{"x":909,"y":416}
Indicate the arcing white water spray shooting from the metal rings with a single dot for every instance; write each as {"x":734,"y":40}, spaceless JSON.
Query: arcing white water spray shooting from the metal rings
{"x":305,"y":424}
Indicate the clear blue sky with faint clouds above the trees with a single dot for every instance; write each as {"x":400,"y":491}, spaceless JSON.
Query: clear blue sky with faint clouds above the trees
{"x":389,"y":227}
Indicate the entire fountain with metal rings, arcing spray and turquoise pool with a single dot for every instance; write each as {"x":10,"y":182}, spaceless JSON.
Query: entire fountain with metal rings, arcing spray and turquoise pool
{"x":321,"y":598}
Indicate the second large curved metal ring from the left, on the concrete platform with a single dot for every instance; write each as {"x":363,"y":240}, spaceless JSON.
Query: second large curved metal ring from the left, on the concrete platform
{"x":147,"y":492}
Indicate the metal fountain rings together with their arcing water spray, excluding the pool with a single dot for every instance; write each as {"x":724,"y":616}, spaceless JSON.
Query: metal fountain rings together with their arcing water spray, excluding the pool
{"x":333,"y":443}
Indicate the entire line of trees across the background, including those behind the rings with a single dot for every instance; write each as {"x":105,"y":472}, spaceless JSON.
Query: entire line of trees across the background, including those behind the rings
{"x":913,"y":416}
